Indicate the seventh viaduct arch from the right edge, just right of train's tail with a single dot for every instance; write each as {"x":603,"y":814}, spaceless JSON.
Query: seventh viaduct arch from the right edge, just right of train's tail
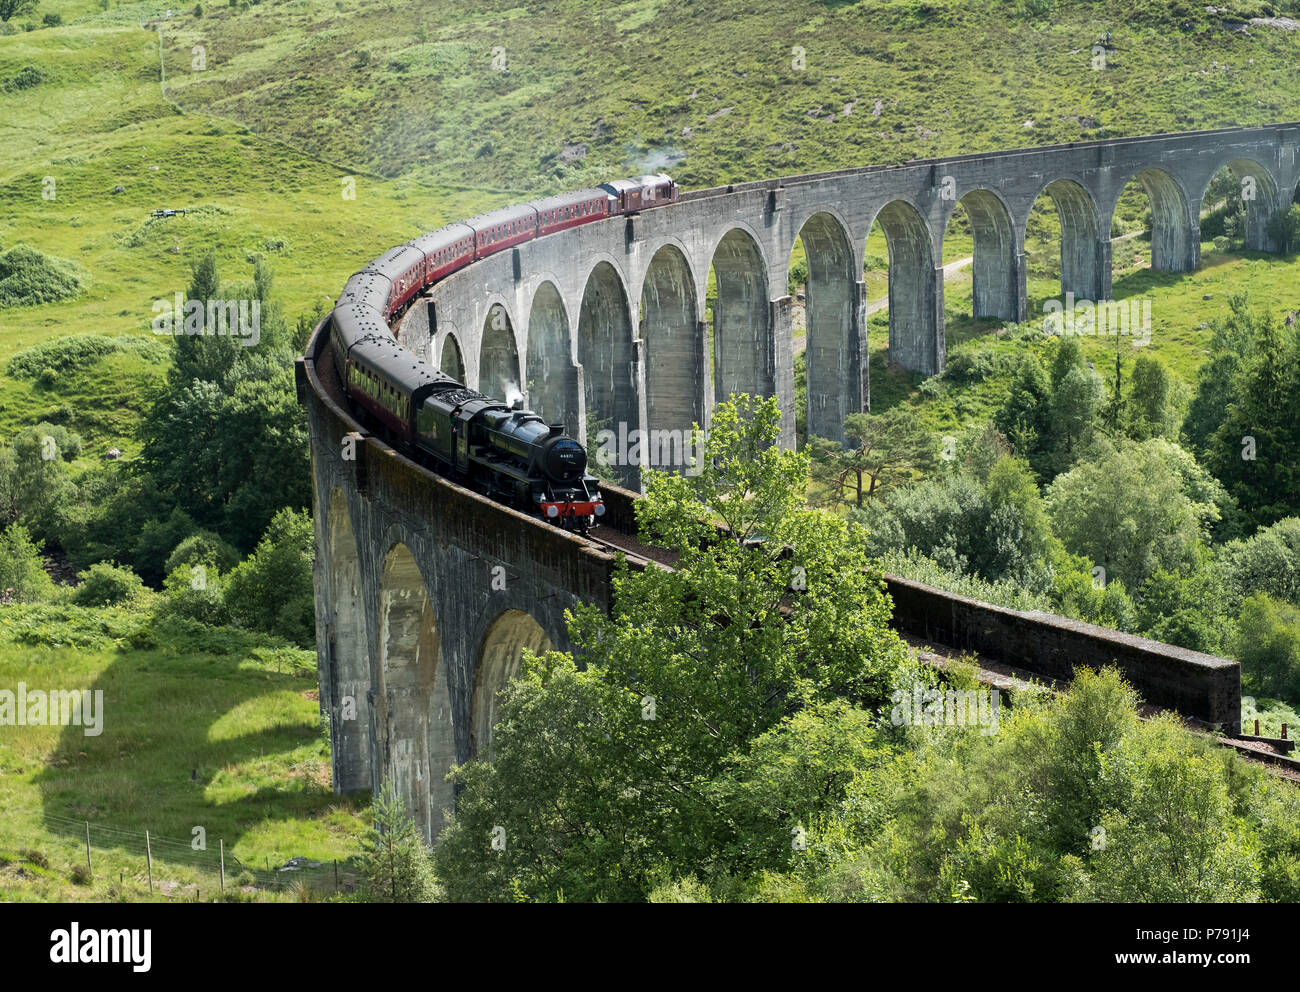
{"x":744,"y":346}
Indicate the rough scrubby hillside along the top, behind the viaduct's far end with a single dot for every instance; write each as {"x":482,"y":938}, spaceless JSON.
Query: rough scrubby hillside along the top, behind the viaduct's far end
{"x":713,"y":85}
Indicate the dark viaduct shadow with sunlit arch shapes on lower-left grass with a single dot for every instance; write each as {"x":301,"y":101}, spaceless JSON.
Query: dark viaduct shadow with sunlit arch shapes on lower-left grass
{"x":196,"y":742}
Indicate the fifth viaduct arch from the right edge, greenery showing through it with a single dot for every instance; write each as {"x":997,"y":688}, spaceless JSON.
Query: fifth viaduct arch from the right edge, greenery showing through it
{"x":916,"y":339}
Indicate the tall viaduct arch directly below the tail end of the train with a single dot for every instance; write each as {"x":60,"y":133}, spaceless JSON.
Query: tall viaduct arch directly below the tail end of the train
{"x":673,"y":337}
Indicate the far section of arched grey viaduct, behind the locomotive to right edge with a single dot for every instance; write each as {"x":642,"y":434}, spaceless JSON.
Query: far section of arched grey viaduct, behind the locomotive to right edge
{"x":608,"y":322}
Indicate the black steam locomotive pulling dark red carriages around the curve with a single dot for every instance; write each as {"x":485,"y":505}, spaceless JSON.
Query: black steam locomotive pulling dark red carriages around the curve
{"x":500,"y":450}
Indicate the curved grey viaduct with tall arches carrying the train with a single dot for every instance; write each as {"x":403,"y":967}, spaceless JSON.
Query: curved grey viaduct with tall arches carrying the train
{"x":428,"y":595}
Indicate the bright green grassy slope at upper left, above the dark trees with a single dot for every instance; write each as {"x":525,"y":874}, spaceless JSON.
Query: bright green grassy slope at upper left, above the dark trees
{"x":101,"y":123}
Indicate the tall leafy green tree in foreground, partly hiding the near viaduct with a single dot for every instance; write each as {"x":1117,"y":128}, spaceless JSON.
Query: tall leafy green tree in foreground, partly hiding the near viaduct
{"x":645,"y":759}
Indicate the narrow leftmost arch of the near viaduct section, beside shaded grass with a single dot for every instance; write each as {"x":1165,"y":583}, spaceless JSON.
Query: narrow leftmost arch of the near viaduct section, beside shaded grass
{"x":349,"y":687}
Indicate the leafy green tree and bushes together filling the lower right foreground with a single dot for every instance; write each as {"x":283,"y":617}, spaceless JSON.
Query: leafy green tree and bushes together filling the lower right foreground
{"x":669,"y":772}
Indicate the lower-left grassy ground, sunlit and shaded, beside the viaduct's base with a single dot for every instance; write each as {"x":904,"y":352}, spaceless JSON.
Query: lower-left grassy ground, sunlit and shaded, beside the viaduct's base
{"x":252,"y":735}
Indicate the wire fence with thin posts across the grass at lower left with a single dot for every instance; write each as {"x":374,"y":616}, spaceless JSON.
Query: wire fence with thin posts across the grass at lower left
{"x":213,"y":859}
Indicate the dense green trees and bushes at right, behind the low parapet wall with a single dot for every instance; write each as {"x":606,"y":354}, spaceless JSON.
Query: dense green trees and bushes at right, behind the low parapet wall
{"x":1120,"y":500}
